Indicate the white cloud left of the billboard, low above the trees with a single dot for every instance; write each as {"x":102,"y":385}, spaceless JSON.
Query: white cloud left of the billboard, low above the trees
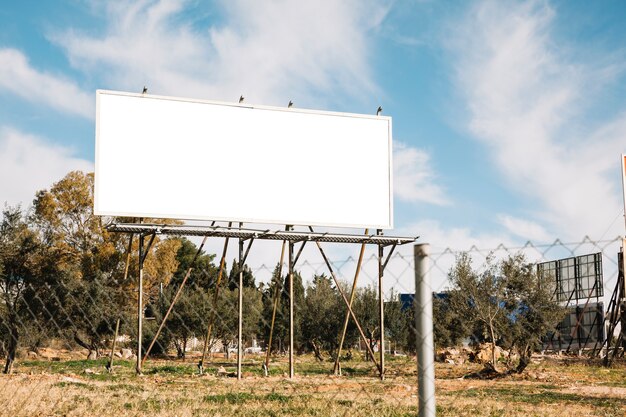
{"x":29,"y":164}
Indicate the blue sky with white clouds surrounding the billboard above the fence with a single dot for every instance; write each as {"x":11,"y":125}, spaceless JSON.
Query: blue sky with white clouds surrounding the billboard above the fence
{"x":509,"y":117}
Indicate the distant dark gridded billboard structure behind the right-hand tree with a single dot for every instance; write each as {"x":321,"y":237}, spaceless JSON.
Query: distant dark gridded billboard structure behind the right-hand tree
{"x":578,"y":283}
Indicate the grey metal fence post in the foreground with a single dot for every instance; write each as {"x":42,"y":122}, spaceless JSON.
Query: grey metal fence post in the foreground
{"x":423,"y":304}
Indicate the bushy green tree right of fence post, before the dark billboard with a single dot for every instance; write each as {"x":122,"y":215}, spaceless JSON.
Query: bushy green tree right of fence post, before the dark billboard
{"x":508,"y":300}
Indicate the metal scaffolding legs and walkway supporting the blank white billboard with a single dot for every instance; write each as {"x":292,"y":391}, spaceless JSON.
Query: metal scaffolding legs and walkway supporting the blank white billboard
{"x":290,"y":238}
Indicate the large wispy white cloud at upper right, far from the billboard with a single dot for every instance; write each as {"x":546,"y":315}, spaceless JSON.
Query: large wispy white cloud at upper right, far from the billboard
{"x":523,"y":95}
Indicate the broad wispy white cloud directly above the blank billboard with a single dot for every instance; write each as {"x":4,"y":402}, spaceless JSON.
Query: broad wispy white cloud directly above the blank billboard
{"x":268,"y":51}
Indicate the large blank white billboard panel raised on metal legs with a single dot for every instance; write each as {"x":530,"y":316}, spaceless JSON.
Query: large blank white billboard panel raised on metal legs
{"x":179,"y":158}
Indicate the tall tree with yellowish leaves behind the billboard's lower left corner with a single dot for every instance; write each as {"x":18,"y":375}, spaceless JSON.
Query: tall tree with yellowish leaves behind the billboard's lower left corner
{"x":87,"y":291}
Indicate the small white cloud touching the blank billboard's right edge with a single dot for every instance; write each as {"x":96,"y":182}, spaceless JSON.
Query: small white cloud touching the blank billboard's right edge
{"x":414,"y":178}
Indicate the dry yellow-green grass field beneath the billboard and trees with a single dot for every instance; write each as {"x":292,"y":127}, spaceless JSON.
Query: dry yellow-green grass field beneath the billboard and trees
{"x":550,"y":387}
